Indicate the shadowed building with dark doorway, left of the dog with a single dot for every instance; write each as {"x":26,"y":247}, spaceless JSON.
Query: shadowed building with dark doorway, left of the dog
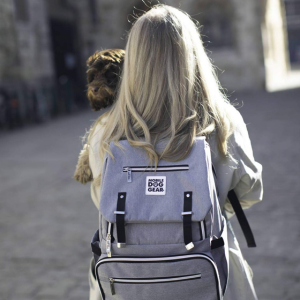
{"x":43,"y":48}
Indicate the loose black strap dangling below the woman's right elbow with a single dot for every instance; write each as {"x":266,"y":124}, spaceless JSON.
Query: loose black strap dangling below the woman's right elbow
{"x":239,"y":214}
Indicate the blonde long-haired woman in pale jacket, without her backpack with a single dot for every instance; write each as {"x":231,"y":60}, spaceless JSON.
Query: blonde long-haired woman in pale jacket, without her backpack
{"x":169,"y":92}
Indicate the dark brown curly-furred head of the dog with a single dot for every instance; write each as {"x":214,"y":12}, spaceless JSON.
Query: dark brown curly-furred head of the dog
{"x":103,"y":75}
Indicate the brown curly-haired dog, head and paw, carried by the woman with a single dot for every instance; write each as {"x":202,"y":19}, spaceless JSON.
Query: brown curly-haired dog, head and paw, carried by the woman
{"x":103,"y":76}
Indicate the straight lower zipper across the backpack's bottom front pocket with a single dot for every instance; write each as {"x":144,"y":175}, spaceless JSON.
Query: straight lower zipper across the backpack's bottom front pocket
{"x":150,"y":280}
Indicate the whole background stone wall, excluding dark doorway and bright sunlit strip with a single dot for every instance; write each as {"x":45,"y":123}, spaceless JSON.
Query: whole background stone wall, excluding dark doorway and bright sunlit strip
{"x":231,"y":30}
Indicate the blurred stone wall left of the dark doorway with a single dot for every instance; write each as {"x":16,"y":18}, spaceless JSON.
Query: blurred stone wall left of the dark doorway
{"x":25,"y":47}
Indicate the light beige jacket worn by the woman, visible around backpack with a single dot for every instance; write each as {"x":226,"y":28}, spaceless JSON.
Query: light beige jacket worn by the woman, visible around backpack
{"x":244,"y":176}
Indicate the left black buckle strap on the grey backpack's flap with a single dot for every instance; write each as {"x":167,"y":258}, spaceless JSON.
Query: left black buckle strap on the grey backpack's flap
{"x":120,"y":219}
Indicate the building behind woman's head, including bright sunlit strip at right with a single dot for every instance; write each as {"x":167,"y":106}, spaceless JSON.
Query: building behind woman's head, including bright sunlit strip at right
{"x":251,"y":42}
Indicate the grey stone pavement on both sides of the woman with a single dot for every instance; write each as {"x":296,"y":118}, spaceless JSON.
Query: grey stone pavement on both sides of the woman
{"x":47,"y":218}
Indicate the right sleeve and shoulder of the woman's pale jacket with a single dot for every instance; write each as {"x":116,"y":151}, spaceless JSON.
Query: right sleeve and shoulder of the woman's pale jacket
{"x":239,"y":171}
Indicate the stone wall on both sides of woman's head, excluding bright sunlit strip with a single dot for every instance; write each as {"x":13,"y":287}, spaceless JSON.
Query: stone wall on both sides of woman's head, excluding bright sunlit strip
{"x":240,"y":61}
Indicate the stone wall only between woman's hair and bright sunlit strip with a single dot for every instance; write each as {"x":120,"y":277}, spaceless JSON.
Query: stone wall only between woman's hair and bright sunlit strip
{"x":240,"y":61}
